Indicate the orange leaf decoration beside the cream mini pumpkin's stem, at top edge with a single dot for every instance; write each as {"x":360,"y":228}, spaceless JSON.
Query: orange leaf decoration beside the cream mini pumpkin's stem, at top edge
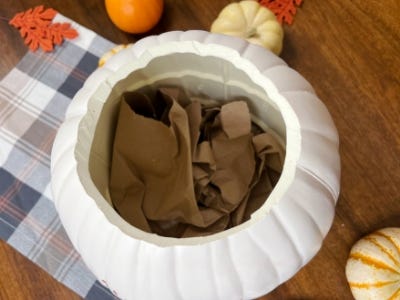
{"x":284,"y":10}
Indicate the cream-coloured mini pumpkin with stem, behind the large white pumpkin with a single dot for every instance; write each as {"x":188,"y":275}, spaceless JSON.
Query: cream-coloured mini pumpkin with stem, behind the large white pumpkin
{"x":250,"y":20}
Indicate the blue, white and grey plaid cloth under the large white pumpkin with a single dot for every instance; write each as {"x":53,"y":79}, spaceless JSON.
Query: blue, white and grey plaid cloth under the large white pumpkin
{"x":33,"y":99}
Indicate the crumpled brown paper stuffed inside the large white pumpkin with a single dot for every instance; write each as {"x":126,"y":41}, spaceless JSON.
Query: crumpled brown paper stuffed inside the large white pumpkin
{"x":182,"y":168}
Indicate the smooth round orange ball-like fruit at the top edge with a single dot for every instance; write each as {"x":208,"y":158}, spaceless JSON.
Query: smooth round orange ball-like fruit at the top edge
{"x":134,"y":16}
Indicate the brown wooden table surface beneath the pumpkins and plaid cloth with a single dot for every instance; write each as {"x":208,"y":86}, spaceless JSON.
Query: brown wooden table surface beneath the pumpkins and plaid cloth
{"x":349,"y":51}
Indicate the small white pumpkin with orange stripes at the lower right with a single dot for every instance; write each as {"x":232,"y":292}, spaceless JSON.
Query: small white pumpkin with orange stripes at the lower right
{"x":373,"y":267}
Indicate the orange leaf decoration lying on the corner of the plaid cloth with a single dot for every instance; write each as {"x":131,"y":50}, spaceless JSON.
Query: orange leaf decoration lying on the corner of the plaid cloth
{"x":36,"y":27}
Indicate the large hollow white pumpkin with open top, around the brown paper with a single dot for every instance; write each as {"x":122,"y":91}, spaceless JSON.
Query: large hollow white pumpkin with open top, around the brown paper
{"x":243,"y":262}
